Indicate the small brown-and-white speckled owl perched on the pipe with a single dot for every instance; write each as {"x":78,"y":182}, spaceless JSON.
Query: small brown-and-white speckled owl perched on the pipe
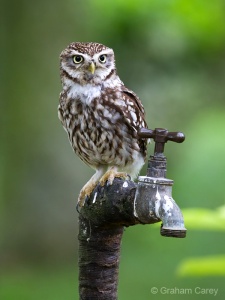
{"x":100,"y":115}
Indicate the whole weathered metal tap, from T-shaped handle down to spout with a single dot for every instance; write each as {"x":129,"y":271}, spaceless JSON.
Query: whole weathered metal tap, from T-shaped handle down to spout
{"x":154,"y":191}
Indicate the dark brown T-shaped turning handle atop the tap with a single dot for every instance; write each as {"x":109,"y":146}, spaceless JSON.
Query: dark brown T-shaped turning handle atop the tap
{"x":161,"y":136}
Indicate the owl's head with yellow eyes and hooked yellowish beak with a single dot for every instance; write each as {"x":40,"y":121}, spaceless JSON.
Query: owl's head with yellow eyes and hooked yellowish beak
{"x":87,"y":62}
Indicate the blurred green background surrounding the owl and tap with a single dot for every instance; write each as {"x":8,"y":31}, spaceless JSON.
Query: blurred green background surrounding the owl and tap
{"x":172,"y":54}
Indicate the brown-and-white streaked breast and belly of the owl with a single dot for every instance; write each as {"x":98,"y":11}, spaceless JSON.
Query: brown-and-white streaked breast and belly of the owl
{"x":99,"y":133}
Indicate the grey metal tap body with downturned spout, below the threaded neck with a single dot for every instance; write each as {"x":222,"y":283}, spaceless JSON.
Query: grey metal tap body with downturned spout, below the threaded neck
{"x":154,"y":202}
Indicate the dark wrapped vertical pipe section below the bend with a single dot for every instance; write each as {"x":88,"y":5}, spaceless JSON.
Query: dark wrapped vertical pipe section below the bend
{"x":99,"y":255}
